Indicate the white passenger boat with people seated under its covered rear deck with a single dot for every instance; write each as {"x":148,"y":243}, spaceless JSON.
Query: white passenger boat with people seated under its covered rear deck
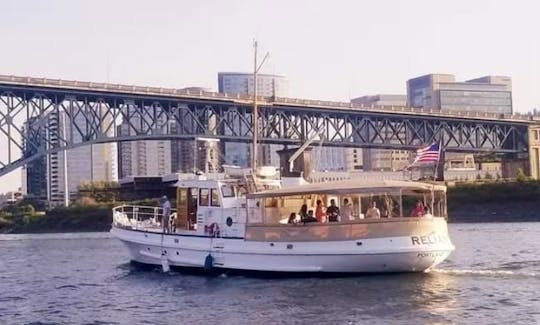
{"x":238,"y":225}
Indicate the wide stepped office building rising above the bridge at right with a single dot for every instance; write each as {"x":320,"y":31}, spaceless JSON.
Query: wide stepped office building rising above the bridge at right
{"x":491,"y":94}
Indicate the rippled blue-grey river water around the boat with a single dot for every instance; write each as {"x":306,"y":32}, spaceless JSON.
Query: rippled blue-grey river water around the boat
{"x":493,"y":277}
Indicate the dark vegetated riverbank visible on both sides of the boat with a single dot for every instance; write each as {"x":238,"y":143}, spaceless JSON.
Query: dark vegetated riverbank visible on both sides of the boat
{"x":495,"y":202}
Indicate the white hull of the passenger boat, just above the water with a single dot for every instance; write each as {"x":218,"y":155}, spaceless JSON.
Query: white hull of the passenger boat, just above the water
{"x":373,"y":255}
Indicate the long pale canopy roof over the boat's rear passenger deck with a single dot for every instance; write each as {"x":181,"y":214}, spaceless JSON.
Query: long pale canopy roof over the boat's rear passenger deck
{"x":349,"y":187}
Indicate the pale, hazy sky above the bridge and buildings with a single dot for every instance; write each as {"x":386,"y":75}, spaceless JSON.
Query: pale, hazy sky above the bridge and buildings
{"x":331,"y":50}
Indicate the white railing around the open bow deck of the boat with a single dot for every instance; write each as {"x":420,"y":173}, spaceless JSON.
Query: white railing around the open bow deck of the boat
{"x":140,"y":217}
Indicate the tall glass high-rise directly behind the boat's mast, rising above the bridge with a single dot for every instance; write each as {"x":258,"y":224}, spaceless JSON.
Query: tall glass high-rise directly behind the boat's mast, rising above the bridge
{"x":268,"y":85}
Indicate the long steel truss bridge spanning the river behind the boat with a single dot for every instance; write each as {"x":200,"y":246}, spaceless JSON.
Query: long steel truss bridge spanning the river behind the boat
{"x":33,"y":109}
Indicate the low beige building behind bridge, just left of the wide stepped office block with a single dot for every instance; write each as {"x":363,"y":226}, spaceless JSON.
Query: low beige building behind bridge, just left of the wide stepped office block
{"x":381,"y":159}
